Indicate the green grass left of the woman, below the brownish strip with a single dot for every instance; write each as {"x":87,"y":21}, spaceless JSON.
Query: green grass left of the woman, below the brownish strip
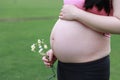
{"x":17,"y":62}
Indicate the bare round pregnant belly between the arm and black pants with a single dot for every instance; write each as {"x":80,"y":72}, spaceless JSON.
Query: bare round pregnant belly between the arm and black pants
{"x":70,"y":39}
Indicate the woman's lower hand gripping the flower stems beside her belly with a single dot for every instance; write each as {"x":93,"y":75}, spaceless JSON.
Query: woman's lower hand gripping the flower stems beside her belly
{"x":49,"y":59}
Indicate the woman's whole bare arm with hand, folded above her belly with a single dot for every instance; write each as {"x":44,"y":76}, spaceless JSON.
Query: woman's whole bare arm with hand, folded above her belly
{"x":99,"y":23}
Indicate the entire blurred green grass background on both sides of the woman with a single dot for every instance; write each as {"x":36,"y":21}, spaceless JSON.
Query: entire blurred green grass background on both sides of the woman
{"x":17,"y":62}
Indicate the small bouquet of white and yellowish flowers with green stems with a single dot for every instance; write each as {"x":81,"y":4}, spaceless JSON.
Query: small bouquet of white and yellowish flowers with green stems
{"x":41,"y":47}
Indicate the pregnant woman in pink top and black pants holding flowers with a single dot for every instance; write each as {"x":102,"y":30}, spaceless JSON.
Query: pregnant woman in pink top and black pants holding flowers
{"x":80,"y":39}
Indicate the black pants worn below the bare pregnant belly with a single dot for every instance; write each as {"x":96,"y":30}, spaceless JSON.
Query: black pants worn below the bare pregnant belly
{"x":95,"y":70}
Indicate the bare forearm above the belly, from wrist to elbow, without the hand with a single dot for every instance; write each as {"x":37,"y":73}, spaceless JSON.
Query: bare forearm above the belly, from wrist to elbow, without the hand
{"x":99,"y":23}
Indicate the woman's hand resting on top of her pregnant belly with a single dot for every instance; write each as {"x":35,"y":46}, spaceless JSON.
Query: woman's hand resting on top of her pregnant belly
{"x":68,"y":12}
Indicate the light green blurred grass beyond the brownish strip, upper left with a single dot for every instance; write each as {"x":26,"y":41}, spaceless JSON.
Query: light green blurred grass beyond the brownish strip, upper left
{"x":29,"y":8}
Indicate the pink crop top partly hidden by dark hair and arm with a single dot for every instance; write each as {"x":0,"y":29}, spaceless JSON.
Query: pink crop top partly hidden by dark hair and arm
{"x":80,"y":4}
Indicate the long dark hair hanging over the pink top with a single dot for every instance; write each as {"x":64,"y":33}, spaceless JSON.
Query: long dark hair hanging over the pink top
{"x":100,"y":4}
